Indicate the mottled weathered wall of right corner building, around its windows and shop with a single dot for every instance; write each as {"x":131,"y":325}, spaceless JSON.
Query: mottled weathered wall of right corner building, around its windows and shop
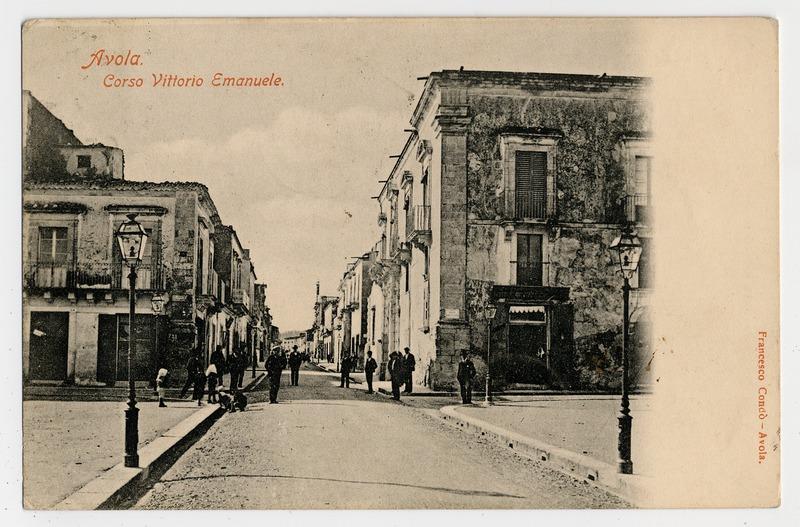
{"x":590,"y":183}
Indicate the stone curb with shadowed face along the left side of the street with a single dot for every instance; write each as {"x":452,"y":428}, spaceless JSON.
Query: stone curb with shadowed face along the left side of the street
{"x":120,"y":486}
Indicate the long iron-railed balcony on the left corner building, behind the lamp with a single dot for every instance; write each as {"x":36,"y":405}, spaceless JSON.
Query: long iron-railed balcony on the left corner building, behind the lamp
{"x":90,"y":275}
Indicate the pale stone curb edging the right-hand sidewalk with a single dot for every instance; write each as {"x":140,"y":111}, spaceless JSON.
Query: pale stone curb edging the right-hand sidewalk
{"x":584,"y":468}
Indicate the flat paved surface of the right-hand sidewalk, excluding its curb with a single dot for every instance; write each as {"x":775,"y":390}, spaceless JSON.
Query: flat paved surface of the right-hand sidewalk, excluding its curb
{"x":582,"y":424}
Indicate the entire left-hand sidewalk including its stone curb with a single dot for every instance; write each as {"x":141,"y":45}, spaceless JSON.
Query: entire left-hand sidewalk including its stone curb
{"x":74,"y":450}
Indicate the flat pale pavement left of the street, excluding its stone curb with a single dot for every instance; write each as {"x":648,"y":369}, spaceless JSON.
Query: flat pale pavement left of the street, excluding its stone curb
{"x":66,"y":444}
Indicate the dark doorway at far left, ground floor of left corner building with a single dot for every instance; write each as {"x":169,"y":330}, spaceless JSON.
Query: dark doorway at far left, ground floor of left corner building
{"x":48,"y":345}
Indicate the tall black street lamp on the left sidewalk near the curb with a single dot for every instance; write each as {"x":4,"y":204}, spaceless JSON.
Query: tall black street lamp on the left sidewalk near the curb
{"x":132,"y":239}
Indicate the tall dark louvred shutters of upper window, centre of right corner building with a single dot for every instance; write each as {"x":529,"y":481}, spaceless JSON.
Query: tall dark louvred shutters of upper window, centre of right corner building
{"x":530,"y":183}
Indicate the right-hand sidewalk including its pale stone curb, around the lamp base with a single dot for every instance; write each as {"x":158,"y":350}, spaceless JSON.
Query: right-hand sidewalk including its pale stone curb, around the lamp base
{"x":576,"y":434}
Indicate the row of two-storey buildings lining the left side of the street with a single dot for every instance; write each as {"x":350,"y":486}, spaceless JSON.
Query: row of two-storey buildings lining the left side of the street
{"x":197,"y":286}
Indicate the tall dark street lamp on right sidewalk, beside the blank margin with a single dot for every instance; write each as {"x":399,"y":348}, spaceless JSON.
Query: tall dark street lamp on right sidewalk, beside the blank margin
{"x":629,"y":249}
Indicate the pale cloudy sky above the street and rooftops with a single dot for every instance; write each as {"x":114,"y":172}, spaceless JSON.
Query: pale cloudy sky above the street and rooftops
{"x":292,"y":168}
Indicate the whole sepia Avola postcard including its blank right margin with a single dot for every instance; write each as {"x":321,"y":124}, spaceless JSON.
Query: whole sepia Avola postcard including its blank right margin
{"x":285,"y":264}
